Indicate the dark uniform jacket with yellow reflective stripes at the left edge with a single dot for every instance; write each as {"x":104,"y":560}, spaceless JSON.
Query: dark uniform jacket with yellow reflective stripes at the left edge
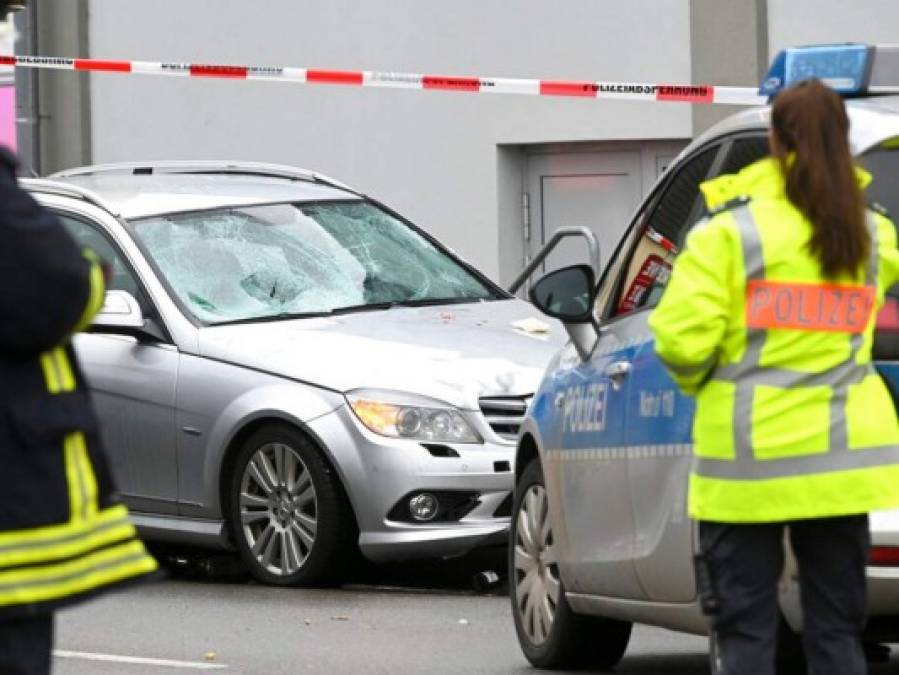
{"x":62,"y":535}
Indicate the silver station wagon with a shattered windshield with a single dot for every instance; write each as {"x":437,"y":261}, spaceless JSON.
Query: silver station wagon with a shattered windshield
{"x":289,"y":368}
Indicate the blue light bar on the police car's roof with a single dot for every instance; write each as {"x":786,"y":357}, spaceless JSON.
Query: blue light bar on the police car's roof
{"x":846,"y":68}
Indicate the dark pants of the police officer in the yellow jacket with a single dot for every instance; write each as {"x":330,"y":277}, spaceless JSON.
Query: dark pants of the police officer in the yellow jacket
{"x":745,"y":562}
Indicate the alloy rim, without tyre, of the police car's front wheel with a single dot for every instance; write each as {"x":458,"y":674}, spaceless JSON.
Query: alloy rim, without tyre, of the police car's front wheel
{"x":537,"y":584}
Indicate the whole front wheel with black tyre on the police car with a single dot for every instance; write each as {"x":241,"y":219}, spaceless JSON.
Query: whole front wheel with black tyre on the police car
{"x":569,"y":640}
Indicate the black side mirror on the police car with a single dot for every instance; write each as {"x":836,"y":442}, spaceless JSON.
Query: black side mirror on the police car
{"x":567,"y":294}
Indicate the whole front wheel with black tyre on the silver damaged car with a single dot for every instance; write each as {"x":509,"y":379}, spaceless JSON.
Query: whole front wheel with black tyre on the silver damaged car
{"x":290,"y":518}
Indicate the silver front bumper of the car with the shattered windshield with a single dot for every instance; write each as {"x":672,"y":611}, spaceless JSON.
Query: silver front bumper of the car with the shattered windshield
{"x":378,"y":472}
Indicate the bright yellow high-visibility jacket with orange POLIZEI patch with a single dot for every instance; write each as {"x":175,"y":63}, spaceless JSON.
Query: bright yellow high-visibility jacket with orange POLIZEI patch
{"x":792,"y":421}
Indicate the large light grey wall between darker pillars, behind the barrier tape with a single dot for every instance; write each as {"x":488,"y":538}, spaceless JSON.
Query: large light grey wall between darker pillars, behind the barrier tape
{"x":446,"y":160}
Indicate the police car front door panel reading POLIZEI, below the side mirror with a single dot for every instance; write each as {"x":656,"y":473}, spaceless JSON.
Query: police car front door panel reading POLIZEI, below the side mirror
{"x":586,"y":476}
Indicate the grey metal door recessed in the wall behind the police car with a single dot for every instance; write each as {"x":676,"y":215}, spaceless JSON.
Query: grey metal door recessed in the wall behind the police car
{"x":599,"y":190}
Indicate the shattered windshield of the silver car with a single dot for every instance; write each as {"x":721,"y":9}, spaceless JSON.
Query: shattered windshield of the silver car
{"x":249,"y":263}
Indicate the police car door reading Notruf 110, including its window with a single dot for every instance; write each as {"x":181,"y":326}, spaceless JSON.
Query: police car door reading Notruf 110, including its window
{"x":659,"y":418}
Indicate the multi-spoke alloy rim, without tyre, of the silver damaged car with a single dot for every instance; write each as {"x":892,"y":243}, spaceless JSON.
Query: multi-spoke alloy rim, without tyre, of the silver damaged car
{"x":278,"y":508}
